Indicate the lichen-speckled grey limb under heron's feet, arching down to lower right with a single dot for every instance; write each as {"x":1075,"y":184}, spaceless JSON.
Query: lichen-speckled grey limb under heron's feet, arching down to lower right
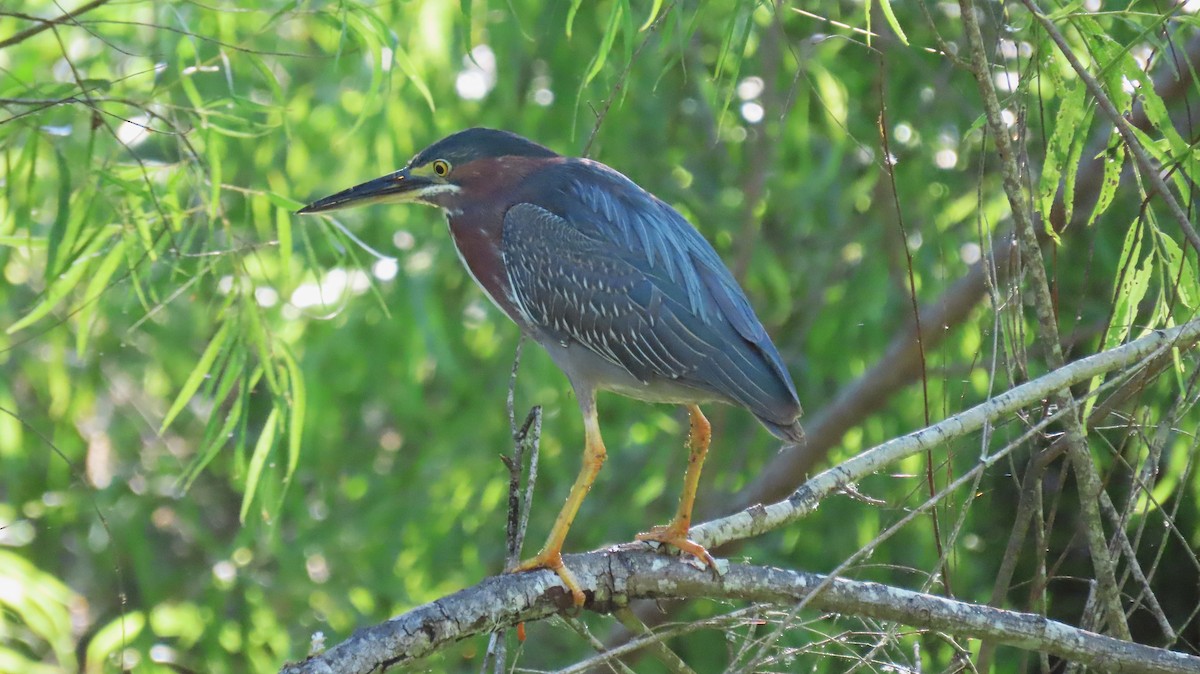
{"x":623,"y":575}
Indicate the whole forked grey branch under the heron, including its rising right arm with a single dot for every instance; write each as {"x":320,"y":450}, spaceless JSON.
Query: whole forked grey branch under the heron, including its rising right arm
{"x":621,"y":575}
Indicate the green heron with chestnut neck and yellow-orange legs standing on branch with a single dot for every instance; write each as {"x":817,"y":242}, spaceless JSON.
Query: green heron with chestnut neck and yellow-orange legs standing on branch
{"x":622,"y":292}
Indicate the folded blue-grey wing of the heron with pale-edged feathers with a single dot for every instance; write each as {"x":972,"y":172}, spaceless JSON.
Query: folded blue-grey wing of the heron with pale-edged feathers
{"x":665,"y":316}
